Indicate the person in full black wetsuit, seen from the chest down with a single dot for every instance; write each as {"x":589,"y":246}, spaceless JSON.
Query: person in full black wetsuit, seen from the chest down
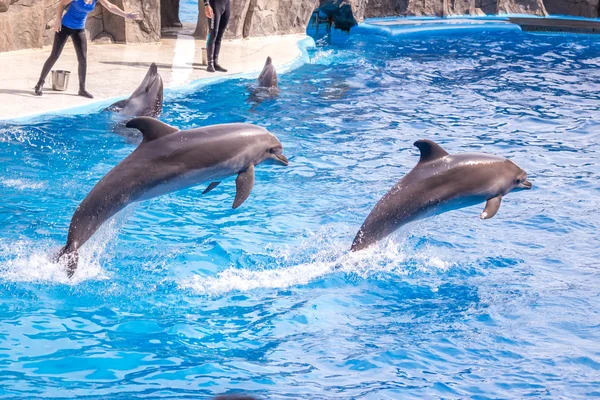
{"x":217,"y":12}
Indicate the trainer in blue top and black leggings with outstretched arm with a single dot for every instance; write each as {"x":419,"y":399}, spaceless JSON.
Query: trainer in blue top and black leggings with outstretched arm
{"x":72,"y":24}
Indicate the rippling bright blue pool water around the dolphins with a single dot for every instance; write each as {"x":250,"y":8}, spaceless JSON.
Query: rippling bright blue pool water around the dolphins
{"x":182,"y":296}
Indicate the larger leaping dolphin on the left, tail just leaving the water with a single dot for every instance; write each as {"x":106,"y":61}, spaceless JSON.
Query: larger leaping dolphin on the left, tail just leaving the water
{"x":168,"y":160}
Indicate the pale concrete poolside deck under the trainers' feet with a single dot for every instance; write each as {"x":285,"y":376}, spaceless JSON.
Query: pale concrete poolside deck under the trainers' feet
{"x":115,"y":70}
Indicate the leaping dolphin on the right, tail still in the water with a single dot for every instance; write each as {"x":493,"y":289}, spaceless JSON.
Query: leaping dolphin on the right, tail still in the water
{"x":441,"y":182}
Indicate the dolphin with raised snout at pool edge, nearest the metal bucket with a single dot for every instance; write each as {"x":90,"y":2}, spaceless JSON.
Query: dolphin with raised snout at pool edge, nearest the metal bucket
{"x":146,"y":100}
